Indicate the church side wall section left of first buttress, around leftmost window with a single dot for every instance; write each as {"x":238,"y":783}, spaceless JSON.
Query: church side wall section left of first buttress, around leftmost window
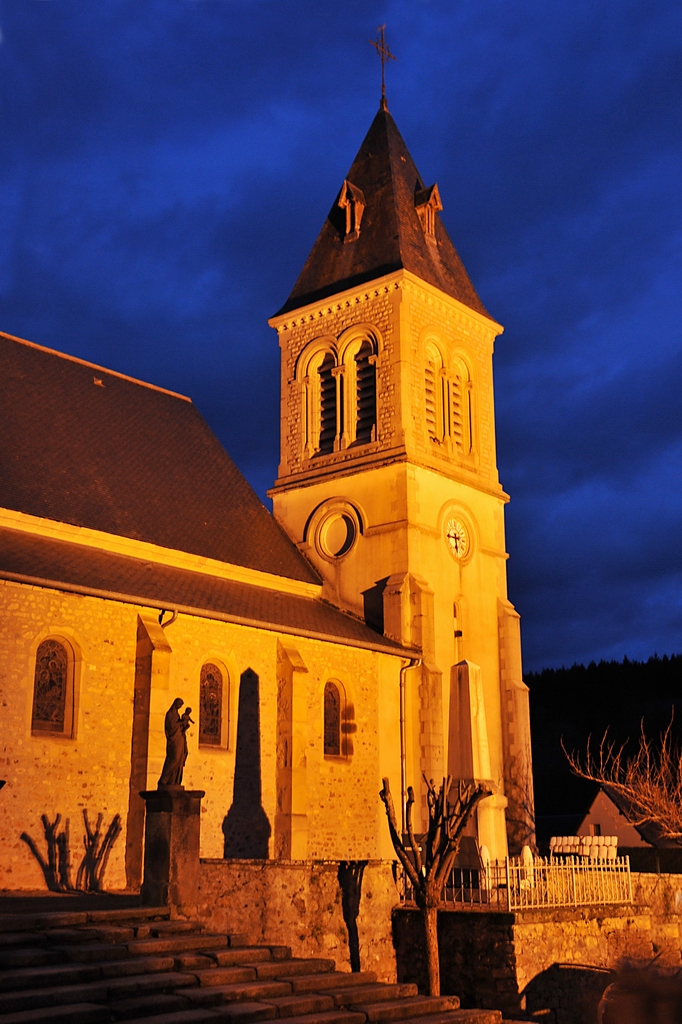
{"x":53,"y":775}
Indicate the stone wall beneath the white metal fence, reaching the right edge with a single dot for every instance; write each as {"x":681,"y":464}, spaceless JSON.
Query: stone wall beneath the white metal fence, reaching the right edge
{"x":550,"y":964}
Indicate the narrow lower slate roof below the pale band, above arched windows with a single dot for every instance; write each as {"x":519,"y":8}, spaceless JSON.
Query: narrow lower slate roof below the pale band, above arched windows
{"x":29,"y":559}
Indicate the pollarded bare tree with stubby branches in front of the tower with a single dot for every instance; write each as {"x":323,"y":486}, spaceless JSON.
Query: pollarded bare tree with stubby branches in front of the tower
{"x":429,"y":861}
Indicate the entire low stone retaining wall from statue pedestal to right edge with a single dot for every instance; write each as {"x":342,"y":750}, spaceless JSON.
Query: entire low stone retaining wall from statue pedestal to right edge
{"x":553,"y":965}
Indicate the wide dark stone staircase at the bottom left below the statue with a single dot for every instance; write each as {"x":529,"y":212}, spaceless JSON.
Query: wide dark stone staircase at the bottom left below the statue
{"x":141,"y":967}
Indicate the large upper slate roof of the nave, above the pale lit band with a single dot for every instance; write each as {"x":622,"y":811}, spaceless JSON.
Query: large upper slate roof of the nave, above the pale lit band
{"x":89,"y":447}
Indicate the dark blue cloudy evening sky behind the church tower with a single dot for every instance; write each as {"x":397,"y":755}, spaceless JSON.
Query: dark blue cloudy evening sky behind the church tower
{"x":166,"y":167}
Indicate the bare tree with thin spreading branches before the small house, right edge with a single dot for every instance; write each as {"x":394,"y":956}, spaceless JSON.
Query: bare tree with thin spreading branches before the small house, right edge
{"x":650,"y":782}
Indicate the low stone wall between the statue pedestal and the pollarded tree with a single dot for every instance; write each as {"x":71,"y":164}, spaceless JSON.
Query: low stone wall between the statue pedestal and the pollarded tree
{"x":301,"y":905}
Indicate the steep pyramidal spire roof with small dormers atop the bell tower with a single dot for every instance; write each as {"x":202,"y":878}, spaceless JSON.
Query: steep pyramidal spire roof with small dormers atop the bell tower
{"x":391,"y":234}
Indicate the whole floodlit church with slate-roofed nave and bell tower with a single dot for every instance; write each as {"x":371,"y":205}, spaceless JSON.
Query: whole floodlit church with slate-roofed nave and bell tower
{"x":363,"y":630}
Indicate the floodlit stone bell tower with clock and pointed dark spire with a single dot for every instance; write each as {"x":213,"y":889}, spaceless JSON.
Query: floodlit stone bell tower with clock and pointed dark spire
{"x":389,"y":480}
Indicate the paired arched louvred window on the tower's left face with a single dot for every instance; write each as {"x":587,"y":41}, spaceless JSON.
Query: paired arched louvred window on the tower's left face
{"x":340,"y":396}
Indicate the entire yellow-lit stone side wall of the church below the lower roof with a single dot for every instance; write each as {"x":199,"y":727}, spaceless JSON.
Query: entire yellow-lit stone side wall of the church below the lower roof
{"x":91,"y":770}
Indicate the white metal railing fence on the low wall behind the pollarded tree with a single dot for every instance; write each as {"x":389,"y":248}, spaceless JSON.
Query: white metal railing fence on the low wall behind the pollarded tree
{"x":524,"y":885}
